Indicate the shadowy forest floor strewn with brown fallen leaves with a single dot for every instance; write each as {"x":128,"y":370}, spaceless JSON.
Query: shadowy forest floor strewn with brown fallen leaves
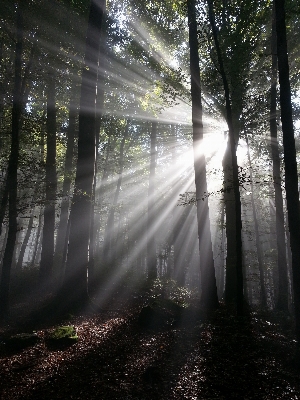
{"x":119,"y":355}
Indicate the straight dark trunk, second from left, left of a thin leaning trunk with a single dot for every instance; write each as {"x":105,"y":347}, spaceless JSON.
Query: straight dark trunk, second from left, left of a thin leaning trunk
{"x":47,"y":254}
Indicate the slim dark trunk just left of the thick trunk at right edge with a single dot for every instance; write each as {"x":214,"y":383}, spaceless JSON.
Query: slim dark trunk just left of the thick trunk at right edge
{"x":281,"y":301}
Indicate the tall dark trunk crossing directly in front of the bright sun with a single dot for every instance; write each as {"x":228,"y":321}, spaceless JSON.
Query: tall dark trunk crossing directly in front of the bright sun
{"x":208,"y":279}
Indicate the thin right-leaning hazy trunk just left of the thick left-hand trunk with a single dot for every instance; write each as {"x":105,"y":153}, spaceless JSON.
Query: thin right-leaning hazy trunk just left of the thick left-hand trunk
{"x":65,"y":202}
